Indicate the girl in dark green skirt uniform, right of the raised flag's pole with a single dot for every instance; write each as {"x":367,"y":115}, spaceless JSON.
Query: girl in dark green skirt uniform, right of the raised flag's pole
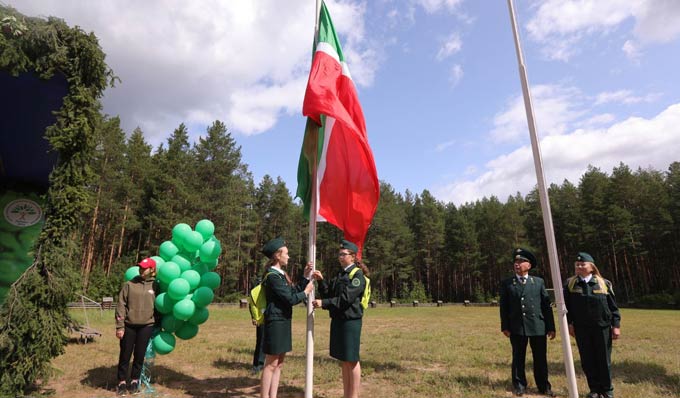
{"x":342,"y":299}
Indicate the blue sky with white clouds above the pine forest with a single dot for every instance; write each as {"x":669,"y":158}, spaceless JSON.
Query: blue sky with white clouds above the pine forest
{"x":438,"y":81}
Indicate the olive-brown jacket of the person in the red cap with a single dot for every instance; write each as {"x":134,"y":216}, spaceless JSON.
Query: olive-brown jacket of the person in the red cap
{"x":136,"y":303}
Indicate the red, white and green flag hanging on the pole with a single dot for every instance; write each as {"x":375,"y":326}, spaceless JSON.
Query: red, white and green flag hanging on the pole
{"x":347,"y":180}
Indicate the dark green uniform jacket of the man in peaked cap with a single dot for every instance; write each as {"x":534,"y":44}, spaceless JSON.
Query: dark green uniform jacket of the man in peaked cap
{"x":525,"y":308}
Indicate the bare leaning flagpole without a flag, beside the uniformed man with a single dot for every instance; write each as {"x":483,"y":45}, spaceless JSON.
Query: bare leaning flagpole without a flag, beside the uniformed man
{"x":547,"y":216}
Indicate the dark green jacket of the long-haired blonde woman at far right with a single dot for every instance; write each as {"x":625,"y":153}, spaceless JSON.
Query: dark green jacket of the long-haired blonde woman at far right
{"x":585,"y":308}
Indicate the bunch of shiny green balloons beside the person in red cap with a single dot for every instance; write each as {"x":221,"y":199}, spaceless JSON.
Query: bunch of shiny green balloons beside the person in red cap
{"x":184,"y":269}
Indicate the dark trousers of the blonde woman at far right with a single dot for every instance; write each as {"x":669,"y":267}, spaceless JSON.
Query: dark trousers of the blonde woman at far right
{"x":595,"y":349}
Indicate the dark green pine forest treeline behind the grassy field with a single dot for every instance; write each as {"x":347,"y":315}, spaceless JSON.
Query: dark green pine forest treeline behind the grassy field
{"x":417,"y":247}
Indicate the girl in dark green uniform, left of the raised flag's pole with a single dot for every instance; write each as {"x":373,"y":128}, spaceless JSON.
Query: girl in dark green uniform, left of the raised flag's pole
{"x":281,"y":297}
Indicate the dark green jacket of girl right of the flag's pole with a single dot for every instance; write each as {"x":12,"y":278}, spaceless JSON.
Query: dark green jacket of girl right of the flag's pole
{"x":342,"y":297}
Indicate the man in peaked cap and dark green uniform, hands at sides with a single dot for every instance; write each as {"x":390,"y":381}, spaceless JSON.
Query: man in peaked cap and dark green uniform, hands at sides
{"x":526,"y":317}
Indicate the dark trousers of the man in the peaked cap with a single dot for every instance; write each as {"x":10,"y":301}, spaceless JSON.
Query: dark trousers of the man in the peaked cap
{"x":519,"y":353}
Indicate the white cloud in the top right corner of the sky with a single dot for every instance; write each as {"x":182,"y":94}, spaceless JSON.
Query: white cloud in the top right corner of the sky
{"x":562,"y":24}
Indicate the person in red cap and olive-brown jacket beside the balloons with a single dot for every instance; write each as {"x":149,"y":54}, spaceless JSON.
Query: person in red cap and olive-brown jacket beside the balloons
{"x":135,"y":319}
